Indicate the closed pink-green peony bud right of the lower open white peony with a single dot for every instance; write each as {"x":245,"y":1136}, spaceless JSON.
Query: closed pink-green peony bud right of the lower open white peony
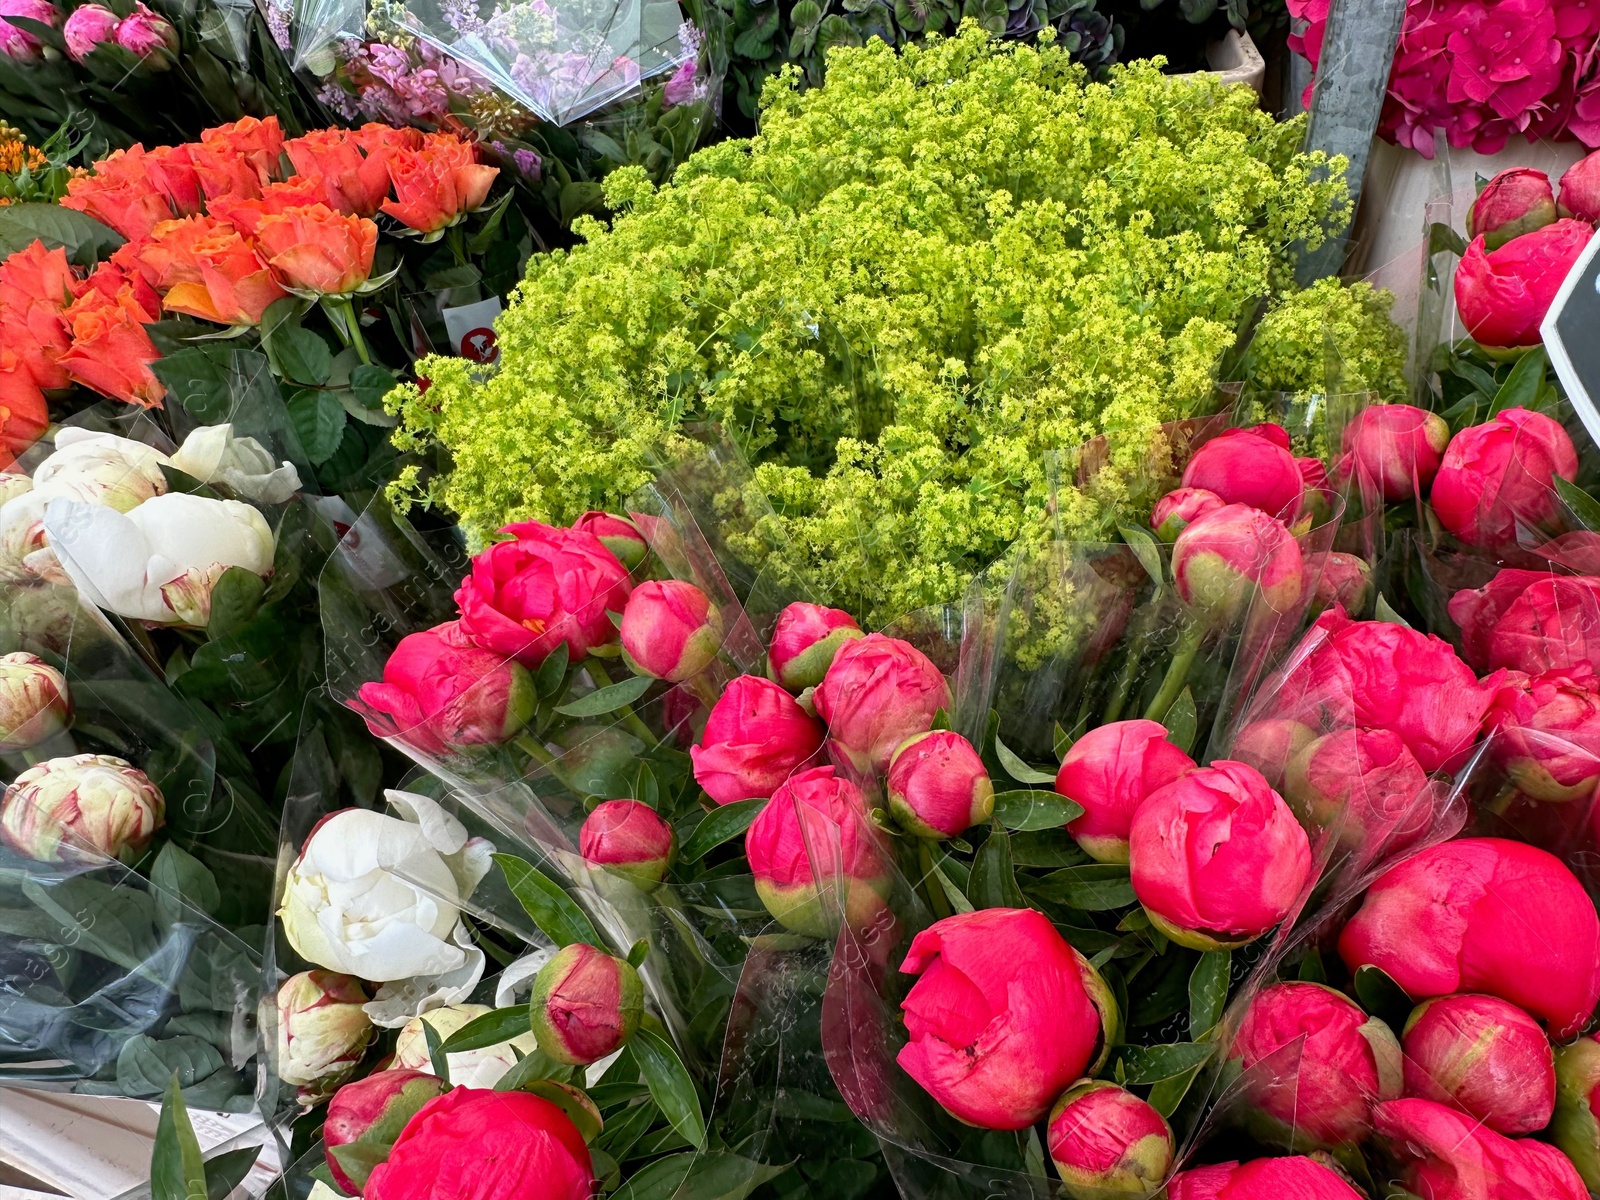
{"x":585,"y":1004}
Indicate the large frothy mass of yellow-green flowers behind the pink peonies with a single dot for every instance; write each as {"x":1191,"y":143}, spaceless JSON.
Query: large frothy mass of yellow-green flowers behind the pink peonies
{"x":900,"y":300}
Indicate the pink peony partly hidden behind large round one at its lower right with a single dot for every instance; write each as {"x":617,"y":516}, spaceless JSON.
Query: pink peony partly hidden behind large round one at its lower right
{"x":1110,"y":772}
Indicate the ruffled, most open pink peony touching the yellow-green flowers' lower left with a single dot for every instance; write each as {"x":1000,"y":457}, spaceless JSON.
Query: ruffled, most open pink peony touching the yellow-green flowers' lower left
{"x":542,"y":590}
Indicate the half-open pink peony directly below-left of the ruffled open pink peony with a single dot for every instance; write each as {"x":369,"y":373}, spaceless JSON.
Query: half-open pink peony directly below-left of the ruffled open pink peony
{"x":442,"y":692}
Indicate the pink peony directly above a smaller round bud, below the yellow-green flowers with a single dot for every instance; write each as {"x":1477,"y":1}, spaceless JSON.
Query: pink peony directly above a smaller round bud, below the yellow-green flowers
{"x":878,"y":694}
